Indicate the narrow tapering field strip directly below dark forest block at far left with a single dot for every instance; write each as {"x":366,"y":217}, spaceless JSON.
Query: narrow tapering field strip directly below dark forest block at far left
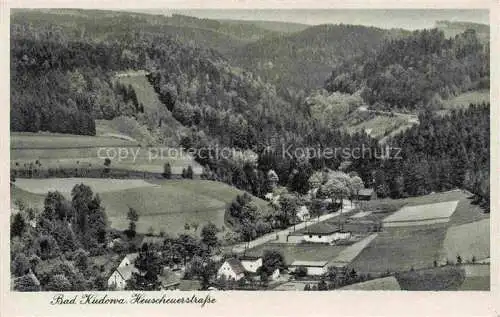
{"x":26,"y":140}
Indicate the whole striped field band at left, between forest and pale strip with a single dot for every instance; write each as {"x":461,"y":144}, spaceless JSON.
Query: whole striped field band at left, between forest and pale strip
{"x":82,"y":155}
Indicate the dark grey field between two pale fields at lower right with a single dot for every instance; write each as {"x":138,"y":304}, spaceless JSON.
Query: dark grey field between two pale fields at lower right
{"x":399,"y":249}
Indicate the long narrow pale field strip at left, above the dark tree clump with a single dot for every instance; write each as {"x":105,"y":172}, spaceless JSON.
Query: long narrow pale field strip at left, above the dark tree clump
{"x":65,"y":185}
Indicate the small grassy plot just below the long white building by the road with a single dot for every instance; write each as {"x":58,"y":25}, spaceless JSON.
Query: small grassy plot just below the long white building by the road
{"x":299,"y":252}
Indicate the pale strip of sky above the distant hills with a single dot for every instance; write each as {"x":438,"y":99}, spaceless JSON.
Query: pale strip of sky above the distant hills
{"x":394,"y":18}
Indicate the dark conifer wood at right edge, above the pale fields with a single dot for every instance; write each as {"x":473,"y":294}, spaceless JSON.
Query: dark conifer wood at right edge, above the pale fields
{"x":439,"y":154}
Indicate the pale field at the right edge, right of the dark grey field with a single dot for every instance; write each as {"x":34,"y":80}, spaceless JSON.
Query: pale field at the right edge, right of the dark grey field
{"x":468,"y":240}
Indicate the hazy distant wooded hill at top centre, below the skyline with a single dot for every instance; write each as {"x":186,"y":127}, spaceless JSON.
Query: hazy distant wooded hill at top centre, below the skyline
{"x":303,"y":60}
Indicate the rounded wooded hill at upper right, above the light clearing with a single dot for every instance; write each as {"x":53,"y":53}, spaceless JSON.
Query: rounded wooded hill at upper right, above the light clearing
{"x":416,"y":72}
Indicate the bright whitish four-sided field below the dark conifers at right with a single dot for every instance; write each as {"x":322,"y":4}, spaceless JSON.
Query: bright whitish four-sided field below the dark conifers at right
{"x":422,"y":212}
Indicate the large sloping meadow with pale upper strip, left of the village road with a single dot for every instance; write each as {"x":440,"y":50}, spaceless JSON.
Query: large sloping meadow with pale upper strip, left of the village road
{"x":163,"y":205}
